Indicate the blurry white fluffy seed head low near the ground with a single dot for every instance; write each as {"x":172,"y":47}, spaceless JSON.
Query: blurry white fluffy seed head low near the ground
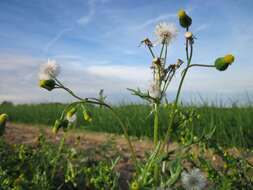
{"x":194,"y":180}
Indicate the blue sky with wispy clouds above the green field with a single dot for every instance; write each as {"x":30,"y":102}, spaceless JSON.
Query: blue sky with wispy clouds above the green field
{"x":96,"y":44}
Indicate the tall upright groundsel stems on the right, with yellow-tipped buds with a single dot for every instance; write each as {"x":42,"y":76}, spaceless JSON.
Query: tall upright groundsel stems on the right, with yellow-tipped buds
{"x":156,"y":95}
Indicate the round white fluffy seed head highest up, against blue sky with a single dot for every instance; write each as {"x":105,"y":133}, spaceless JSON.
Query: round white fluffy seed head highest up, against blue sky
{"x":166,"y":32}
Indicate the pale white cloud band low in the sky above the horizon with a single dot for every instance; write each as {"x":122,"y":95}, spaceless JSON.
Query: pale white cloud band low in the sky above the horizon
{"x":20,"y":82}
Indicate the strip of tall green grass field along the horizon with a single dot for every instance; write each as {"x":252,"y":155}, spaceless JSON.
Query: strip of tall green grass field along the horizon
{"x":234,"y":125}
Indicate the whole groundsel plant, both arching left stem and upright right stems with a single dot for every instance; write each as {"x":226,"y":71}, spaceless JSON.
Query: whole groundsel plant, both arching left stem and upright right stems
{"x":160,"y":170}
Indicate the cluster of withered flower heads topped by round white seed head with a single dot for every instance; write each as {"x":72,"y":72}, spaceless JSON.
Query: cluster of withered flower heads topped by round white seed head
{"x":162,"y":74}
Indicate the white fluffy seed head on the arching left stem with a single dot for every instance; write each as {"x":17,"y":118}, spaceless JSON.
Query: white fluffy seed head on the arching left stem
{"x":49,"y":70}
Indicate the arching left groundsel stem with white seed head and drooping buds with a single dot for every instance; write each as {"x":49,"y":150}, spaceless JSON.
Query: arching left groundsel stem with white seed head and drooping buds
{"x":48,"y":79}
